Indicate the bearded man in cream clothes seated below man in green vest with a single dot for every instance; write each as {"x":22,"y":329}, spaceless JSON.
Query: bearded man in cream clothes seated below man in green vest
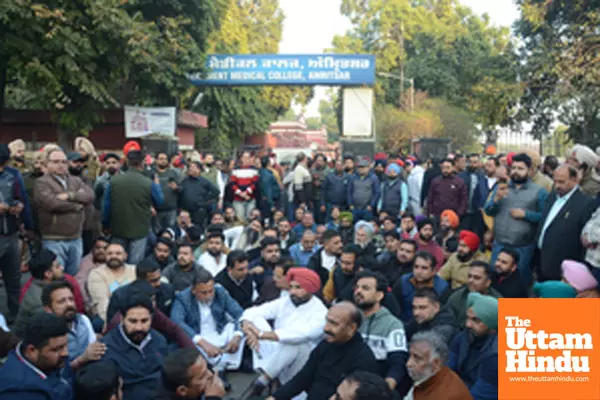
{"x":104,"y":280}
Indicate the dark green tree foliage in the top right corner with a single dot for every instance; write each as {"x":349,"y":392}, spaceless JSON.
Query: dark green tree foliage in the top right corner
{"x":560,"y":67}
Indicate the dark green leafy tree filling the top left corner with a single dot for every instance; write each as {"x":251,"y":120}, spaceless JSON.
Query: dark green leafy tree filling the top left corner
{"x":76,"y":57}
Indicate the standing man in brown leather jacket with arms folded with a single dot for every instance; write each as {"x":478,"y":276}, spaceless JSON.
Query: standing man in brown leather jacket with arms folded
{"x":61,"y":199}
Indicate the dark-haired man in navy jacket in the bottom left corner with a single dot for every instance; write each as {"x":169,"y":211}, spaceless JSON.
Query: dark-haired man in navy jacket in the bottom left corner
{"x":32,"y":370}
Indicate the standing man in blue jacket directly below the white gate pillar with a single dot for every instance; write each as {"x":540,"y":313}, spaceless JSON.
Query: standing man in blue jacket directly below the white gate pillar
{"x":363,"y":192}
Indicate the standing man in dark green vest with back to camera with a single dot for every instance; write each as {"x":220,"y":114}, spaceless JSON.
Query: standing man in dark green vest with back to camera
{"x":128,"y":203}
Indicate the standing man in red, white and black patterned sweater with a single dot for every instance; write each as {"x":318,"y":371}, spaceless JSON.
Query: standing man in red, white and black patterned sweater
{"x":244,"y":183}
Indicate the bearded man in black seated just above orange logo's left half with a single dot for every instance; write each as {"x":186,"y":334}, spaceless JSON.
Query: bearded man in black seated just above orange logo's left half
{"x":506,"y":278}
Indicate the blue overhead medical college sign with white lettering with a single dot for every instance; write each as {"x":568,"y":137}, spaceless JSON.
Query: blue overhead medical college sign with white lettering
{"x":283,"y":69}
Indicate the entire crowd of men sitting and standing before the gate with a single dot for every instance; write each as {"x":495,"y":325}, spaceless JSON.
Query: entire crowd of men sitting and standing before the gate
{"x":153,"y":276}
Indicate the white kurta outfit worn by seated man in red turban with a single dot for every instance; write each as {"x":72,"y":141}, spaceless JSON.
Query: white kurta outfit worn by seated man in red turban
{"x":299,"y":329}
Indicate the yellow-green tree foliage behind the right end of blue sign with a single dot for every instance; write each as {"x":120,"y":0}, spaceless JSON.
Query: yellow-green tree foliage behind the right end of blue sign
{"x":450,"y":52}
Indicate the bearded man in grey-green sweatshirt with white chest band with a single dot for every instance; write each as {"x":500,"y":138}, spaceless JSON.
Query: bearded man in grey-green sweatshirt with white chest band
{"x":383,"y":332}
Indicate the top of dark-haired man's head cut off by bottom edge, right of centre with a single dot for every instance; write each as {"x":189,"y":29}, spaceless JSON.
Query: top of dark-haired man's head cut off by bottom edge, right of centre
{"x":361,"y":385}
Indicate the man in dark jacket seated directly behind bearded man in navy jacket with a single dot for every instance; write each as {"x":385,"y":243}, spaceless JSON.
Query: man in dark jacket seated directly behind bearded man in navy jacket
{"x":147,"y":270}
